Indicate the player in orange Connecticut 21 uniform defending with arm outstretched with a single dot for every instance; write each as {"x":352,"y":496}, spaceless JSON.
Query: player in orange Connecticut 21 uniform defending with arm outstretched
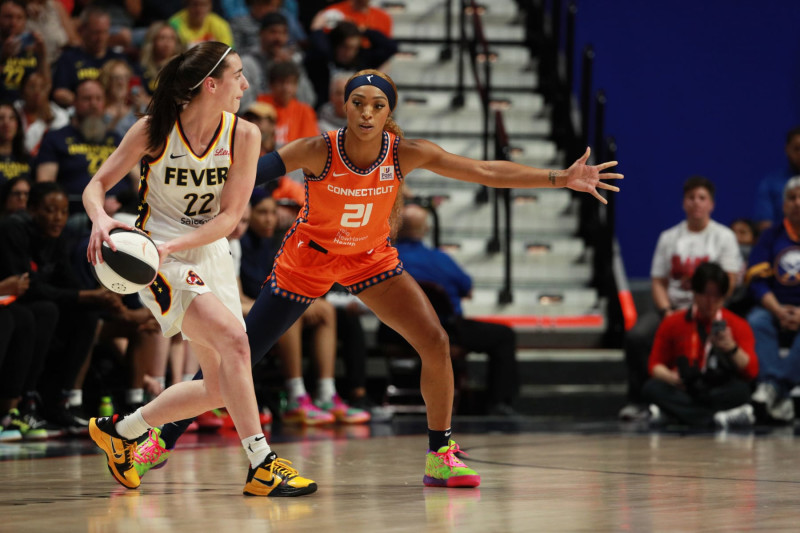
{"x":341,"y":234}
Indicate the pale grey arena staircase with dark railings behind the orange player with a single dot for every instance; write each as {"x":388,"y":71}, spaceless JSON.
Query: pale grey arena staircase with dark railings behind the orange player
{"x":559,"y":318}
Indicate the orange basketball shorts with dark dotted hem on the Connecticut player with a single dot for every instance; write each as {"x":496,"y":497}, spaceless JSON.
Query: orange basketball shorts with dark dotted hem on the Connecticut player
{"x":304,"y":270}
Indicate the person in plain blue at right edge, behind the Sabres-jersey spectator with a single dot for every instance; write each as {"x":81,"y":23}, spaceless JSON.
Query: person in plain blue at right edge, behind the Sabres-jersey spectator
{"x":769,"y":197}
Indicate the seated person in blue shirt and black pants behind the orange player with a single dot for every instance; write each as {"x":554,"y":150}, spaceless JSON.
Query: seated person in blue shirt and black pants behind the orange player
{"x":496,"y":340}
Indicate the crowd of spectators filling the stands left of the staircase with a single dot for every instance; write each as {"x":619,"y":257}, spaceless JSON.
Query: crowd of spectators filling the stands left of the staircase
{"x":76,"y":76}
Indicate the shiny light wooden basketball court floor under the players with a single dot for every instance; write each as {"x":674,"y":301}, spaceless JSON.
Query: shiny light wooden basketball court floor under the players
{"x":535,"y":478}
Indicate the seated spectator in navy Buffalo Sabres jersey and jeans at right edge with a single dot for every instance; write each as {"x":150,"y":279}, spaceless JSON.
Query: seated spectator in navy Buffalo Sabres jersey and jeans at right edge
{"x":774,"y":277}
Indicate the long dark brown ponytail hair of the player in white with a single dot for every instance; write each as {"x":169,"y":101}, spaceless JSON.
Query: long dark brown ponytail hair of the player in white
{"x":174,"y":86}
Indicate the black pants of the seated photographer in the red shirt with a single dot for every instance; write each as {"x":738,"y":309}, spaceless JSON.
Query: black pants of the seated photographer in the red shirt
{"x":697,"y":410}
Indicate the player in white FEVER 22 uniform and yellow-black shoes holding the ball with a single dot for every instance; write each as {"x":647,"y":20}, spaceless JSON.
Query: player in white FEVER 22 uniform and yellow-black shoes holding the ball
{"x":198,"y":168}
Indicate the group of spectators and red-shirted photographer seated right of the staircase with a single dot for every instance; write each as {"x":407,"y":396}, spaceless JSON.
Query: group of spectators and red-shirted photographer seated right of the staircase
{"x":692,"y":361}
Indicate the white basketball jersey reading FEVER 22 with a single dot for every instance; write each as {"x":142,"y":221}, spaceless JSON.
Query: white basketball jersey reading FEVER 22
{"x":180,"y":190}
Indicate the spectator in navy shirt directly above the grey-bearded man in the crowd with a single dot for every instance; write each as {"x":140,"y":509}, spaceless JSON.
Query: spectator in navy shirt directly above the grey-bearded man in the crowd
{"x":80,"y":63}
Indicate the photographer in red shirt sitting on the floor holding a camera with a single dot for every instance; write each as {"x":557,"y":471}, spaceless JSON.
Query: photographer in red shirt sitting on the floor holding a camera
{"x":703,"y":359}
